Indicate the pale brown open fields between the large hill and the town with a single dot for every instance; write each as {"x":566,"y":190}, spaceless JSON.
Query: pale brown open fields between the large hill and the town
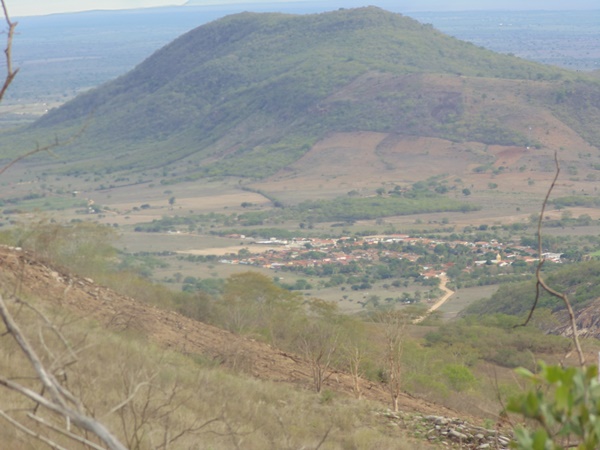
{"x":355,"y":164}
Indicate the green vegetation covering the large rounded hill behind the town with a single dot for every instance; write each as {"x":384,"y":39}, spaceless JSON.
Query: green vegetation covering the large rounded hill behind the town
{"x":251,"y":93}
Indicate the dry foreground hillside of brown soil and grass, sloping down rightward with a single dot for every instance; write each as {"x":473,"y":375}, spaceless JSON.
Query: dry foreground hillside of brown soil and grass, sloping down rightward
{"x":126,"y":335}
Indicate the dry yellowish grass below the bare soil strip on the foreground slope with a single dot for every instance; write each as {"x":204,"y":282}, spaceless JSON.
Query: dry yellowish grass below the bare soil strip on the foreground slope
{"x":174,"y":393}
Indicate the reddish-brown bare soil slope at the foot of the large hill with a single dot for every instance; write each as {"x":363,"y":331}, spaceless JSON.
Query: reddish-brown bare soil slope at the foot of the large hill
{"x":343,"y":162}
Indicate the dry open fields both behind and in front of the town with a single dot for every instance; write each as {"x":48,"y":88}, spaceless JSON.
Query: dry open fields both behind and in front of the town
{"x":357,"y":163}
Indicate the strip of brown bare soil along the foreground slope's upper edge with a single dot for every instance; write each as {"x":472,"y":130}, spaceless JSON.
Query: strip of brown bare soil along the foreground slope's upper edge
{"x":170,"y":330}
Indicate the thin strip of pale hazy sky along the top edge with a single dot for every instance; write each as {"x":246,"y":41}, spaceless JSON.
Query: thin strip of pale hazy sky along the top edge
{"x":40,"y":7}
